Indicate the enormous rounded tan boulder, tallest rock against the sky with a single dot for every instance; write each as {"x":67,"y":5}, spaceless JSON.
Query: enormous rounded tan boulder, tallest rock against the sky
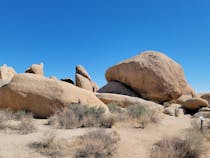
{"x":152,"y":75}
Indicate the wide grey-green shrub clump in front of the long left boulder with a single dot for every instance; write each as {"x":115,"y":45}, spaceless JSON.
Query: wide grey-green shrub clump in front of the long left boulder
{"x":80,"y":116}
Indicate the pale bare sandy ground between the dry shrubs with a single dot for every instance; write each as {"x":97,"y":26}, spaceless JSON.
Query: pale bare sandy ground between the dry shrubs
{"x":134,"y":143}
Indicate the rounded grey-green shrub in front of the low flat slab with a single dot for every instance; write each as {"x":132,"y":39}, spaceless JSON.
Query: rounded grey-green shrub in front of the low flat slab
{"x":142,"y":115}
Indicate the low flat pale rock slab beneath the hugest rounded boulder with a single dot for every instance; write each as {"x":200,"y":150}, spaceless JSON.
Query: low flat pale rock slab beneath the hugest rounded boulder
{"x":126,"y":101}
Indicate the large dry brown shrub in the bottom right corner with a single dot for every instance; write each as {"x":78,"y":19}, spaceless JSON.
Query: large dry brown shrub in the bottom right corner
{"x":191,"y":146}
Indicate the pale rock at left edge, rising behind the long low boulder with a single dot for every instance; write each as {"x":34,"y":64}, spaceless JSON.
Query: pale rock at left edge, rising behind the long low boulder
{"x":6,"y":74}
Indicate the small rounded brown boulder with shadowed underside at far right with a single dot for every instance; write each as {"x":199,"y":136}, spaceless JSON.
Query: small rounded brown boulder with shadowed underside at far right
{"x":195,"y":103}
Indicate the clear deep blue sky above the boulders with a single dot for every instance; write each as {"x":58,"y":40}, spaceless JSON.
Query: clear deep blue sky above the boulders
{"x":101,"y":33}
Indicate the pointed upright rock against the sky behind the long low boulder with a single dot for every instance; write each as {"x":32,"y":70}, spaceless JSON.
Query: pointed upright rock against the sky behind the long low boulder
{"x":83,"y":79}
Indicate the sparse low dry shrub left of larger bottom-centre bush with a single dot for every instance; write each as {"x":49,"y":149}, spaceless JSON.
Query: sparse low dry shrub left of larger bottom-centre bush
{"x":48,"y":146}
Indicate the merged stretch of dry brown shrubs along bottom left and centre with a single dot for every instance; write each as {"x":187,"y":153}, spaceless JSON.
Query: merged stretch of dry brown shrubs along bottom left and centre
{"x":95,"y":144}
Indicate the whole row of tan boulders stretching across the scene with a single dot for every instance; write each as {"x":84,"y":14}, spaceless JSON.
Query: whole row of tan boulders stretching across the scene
{"x":151,"y":79}
